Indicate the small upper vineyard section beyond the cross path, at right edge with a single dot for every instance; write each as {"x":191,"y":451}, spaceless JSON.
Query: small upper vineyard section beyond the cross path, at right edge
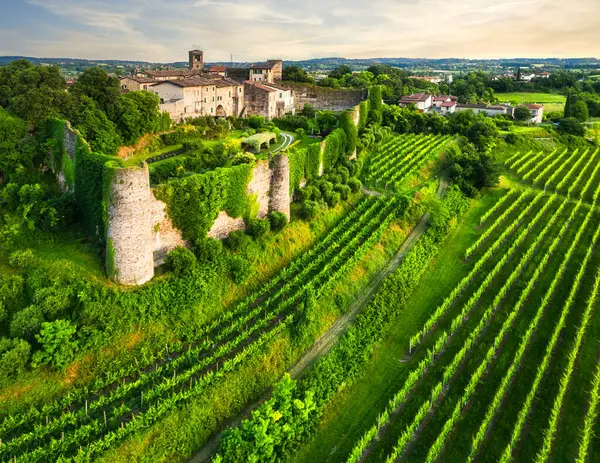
{"x":572,"y":174}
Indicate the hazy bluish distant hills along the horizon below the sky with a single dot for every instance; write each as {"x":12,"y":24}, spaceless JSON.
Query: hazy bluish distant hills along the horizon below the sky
{"x":450,"y":64}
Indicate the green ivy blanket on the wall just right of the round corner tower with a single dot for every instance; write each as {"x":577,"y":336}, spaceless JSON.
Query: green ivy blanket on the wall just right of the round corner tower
{"x":194,"y":202}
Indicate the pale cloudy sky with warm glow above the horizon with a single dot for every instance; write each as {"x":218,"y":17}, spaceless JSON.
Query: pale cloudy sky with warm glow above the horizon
{"x":255,"y":30}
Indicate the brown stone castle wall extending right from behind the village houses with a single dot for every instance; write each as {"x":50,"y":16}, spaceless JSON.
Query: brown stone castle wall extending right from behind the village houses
{"x":323,"y":97}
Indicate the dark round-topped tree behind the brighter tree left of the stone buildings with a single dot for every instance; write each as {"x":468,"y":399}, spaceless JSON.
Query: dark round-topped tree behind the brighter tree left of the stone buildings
{"x":100,"y":87}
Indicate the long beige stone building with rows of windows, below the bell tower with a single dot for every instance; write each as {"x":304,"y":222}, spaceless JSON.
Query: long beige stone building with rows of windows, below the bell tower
{"x":200,"y":96}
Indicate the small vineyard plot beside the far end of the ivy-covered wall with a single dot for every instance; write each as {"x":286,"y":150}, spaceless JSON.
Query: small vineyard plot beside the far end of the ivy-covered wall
{"x":401,"y":157}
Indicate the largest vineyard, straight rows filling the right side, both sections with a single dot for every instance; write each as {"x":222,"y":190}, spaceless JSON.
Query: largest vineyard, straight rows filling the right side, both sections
{"x":506,"y":367}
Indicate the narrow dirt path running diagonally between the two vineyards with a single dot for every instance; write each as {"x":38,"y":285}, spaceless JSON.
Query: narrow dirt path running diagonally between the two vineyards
{"x":326,"y":342}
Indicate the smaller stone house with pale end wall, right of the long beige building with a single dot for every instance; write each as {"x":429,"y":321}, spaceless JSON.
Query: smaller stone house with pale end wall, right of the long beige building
{"x":268,"y":100}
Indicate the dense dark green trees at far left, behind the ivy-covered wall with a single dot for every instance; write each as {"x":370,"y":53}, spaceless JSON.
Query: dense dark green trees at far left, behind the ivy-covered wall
{"x":94,"y":104}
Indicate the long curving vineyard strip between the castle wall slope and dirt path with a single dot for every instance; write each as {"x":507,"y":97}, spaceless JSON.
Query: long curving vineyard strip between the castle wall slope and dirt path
{"x":88,"y":421}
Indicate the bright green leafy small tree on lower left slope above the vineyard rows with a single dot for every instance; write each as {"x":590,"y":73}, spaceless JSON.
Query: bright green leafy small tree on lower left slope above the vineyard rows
{"x":58,"y":345}
